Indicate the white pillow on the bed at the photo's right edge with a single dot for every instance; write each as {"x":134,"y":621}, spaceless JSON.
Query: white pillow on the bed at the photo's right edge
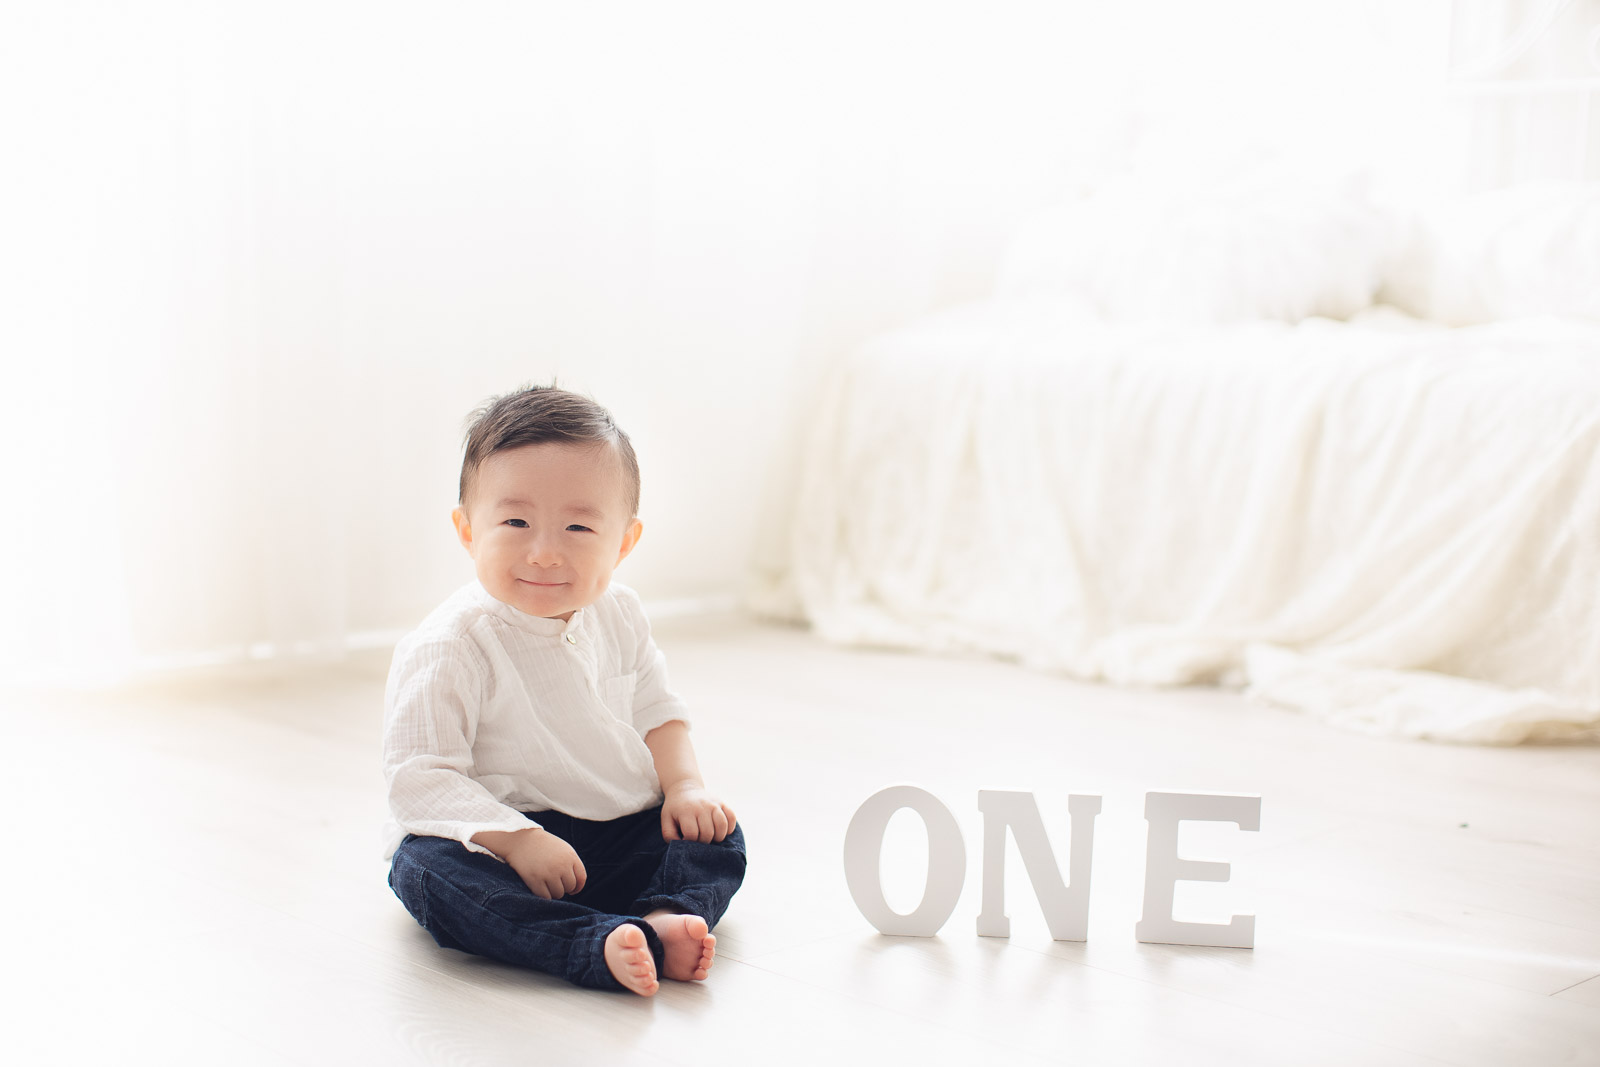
{"x":1532,"y":250}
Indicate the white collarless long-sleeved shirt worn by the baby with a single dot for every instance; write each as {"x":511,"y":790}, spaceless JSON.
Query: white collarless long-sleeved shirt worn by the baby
{"x":492,"y":713}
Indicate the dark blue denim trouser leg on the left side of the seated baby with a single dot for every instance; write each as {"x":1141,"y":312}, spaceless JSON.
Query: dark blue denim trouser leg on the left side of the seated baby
{"x":476,"y":903}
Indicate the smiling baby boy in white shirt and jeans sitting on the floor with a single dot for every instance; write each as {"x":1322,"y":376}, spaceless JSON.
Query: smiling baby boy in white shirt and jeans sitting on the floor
{"x":548,"y":805}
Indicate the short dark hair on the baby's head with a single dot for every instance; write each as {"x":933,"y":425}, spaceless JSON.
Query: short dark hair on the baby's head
{"x":535,"y":415}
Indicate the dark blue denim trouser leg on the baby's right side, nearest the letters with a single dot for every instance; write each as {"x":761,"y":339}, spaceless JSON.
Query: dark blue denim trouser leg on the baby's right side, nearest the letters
{"x":679,"y":876}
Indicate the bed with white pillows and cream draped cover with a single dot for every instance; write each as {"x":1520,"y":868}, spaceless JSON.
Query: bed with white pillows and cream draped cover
{"x":1287,"y":438}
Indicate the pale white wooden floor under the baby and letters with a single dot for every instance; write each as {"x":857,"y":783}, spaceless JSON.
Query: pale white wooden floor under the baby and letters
{"x":193,"y":877}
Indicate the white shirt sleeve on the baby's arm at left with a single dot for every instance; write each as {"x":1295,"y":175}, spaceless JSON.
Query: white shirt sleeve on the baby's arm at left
{"x":431,"y":717}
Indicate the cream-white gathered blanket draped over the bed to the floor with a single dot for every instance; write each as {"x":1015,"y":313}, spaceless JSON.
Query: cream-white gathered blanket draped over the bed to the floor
{"x":1385,"y":524}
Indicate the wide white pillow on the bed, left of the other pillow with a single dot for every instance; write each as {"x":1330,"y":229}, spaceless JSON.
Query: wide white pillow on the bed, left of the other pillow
{"x":1270,"y":244}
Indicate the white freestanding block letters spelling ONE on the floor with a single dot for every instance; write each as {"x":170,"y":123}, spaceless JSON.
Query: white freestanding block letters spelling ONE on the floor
{"x":1066,"y":905}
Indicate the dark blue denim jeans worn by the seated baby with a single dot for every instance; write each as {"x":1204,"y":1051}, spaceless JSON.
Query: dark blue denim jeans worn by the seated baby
{"x":476,"y":903}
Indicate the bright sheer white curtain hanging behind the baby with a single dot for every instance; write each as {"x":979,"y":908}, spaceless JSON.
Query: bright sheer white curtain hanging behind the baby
{"x":262,"y":260}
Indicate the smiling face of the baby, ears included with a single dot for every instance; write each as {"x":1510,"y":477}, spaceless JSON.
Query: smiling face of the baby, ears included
{"x":546,"y":527}
